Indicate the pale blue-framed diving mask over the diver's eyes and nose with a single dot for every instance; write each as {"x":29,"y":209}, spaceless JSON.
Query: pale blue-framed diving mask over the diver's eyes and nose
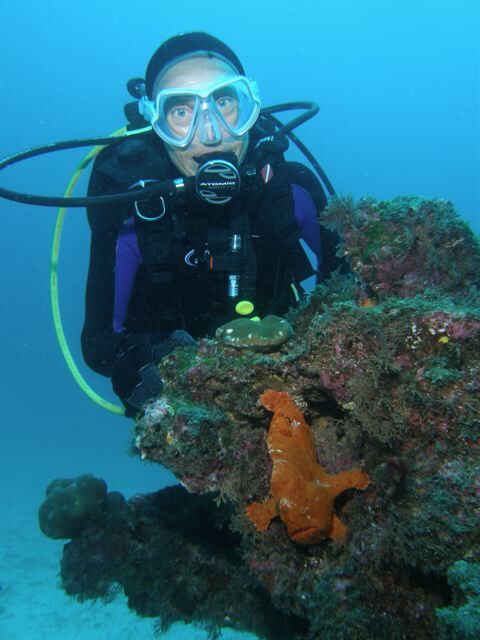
{"x":231,"y":104}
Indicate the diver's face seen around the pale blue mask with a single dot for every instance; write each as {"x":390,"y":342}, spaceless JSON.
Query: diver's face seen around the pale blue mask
{"x":191,"y":74}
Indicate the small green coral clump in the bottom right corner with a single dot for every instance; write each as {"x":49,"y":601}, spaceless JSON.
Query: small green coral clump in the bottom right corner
{"x":461,"y":621}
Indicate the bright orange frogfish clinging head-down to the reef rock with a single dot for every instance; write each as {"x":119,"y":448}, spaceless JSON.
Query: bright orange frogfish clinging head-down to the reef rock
{"x":303,"y":494}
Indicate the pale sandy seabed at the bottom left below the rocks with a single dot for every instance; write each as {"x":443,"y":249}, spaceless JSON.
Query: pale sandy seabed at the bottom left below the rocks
{"x":34,"y":607}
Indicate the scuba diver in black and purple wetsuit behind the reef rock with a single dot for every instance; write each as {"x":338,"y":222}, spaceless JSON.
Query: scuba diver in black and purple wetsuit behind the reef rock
{"x":167,"y":270}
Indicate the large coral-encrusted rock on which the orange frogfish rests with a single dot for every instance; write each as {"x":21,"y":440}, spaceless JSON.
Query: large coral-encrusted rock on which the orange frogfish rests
{"x":384,"y":363}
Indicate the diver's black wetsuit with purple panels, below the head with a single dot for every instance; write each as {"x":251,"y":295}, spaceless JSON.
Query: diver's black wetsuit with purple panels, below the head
{"x":167,"y":291}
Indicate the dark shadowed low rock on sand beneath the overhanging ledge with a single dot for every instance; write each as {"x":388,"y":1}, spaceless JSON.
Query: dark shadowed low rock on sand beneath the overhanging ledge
{"x":175,"y":558}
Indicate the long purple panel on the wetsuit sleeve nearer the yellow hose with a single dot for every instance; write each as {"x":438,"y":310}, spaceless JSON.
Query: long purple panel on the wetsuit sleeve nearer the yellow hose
{"x":127,"y":261}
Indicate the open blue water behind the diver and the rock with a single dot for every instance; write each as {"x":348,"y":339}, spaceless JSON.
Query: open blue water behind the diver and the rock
{"x":398,"y":86}
